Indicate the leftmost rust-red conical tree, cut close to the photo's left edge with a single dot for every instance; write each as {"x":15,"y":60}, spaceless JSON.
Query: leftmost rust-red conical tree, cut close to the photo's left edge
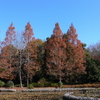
{"x":7,"y":53}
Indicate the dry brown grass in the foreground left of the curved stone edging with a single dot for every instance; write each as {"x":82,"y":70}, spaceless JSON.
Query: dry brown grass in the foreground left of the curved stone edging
{"x":32,"y":96}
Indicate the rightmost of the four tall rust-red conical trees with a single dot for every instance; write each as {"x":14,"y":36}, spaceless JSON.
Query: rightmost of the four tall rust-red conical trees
{"x":75,"y":53}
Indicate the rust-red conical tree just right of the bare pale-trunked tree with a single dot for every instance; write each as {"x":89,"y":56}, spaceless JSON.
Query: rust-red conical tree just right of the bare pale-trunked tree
{"x":31,"y":52}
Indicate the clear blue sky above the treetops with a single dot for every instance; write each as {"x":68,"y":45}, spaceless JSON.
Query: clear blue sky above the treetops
{"x":43,"y":14}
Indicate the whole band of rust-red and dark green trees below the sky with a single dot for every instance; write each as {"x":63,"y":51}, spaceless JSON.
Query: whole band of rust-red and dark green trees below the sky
{"x":60,"y":58}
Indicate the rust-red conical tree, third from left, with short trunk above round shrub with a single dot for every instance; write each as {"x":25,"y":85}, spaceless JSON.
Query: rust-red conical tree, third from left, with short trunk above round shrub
{"x":55,"y":53}
